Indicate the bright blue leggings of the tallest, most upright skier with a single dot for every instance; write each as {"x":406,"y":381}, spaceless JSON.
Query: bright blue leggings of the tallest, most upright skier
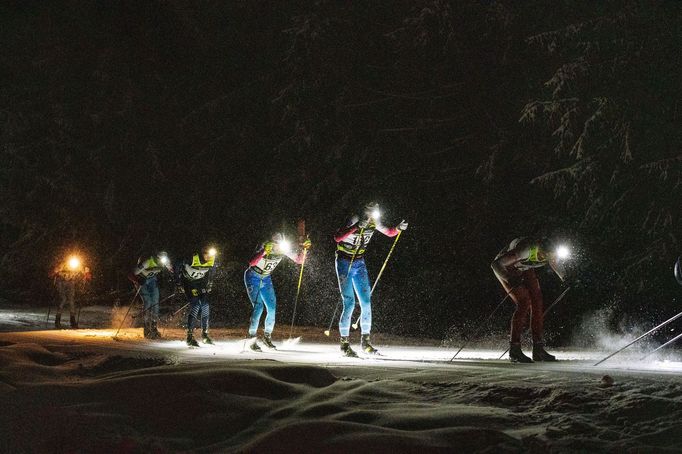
{"x":351,"y":283}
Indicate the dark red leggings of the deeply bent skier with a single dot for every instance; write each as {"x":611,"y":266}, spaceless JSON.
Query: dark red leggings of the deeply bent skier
{"x":528,"y":297}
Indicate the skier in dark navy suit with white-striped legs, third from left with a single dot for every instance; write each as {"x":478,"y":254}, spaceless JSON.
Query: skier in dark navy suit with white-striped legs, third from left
{"x":195,"y":278}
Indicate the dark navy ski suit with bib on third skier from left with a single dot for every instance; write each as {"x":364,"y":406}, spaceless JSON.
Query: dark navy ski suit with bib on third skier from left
{"x":196,"y":278}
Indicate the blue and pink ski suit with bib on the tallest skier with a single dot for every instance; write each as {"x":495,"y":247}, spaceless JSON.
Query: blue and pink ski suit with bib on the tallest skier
{"x":353,"y":278}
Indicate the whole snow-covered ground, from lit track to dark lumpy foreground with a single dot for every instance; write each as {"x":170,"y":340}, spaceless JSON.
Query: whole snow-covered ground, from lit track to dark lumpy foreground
{"x":84,"y":391}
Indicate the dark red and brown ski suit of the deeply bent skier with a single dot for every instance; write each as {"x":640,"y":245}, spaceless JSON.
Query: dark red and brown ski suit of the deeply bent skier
{"x":515,"y":268}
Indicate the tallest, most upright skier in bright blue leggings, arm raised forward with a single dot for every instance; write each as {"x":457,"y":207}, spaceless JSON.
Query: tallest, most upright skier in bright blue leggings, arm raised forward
{"x":351,"y":243}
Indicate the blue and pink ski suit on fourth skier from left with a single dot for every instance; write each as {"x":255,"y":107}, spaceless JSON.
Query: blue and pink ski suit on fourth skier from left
{"x":258,"y":282}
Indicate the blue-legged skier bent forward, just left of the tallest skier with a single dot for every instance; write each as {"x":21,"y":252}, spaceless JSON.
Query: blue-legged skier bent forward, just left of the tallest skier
{"x":258,"y":282}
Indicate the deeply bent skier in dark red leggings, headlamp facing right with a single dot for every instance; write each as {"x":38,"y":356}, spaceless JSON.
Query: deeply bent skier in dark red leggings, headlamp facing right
{"x":515,"y":268}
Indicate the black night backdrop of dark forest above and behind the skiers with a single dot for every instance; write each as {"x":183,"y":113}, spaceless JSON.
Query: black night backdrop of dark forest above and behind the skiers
{"x":131,"y":126}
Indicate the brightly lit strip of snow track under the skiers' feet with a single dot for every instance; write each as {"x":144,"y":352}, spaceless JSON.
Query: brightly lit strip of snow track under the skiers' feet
{"x":298,"y":350}
